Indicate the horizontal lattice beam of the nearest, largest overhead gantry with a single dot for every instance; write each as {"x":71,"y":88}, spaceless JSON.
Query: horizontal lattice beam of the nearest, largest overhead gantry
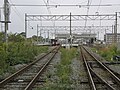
{"x":67,"y":17}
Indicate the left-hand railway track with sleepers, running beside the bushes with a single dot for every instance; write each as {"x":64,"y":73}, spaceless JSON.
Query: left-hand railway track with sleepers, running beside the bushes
{"x":27,"y":77}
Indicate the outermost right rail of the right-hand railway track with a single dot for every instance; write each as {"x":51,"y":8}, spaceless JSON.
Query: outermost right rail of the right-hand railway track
{"x":106,"y":68}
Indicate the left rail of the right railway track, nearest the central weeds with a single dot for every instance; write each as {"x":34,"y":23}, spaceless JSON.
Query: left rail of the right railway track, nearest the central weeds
{"x":91,"y":83}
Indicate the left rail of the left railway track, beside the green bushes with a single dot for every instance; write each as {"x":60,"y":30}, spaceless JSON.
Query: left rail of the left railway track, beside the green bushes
{"x":16,"y":74}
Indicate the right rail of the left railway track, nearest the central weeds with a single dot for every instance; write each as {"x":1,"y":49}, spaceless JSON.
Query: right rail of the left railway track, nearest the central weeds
{"x":33,"y":81}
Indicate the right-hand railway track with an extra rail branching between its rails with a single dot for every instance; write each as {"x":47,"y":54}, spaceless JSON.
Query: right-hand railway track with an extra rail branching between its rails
{"x":100,"y":77}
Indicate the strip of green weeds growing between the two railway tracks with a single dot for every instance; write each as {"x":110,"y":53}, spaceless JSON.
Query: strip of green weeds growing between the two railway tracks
{"x":63,"y":71}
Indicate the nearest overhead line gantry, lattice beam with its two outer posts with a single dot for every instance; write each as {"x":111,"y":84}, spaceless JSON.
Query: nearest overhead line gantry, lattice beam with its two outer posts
{"x":102,"y":17}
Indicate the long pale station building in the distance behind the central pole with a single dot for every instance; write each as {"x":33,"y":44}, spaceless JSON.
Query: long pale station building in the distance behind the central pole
{"x":77,"y":38}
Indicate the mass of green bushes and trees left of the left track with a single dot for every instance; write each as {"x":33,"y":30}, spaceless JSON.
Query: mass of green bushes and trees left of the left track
{"x":17,"y":50}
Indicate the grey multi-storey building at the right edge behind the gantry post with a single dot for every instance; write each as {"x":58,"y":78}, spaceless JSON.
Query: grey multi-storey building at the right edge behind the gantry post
{"x":109,"y":38}
